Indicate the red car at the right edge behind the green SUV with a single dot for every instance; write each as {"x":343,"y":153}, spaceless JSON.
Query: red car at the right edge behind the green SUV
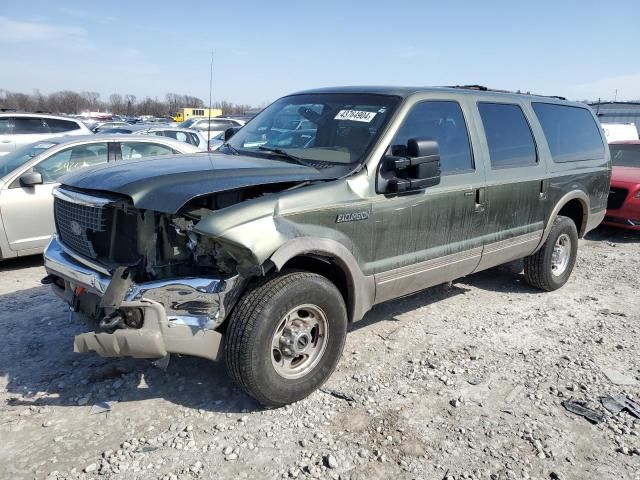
{"x":623,"y":207}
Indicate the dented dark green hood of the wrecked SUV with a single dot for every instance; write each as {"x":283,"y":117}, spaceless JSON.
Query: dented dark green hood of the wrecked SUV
{"x":165,"y":184}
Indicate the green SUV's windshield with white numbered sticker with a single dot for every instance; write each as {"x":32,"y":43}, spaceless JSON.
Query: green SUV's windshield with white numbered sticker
{"x":316,"y":129}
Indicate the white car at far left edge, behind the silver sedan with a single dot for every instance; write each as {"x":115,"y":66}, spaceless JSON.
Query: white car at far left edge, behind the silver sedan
{"x":18,"y":129}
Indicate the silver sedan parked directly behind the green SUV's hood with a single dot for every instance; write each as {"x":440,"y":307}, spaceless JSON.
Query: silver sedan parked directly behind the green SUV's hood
{"x":28,"y":175}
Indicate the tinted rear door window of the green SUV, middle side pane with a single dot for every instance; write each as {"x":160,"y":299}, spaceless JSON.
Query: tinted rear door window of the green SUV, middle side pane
{"x":508,"y":135}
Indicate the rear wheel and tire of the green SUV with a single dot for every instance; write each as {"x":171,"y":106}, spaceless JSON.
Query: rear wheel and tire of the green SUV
{"x":551,"y":266}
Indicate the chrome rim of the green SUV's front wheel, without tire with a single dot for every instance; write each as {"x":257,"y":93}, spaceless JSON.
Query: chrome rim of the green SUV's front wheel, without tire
{"x":299,"y":341}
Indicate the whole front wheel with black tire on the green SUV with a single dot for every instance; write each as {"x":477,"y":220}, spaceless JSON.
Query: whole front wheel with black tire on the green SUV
{"x":285,"y":337}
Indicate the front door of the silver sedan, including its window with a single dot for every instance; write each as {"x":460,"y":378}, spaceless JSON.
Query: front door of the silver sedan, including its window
{"x":27,"y":212}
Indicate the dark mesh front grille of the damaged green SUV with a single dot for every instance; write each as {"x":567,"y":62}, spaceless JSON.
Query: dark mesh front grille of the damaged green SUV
{"x":79,"y":226}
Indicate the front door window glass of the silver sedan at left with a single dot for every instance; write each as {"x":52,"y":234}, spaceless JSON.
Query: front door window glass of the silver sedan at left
{"x":71,"y":159}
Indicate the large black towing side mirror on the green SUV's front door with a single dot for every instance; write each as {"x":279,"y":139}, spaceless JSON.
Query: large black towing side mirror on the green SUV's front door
{"x":410,"y":168}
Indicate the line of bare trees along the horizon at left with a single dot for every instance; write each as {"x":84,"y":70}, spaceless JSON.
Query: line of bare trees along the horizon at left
{"x":70,"y":102}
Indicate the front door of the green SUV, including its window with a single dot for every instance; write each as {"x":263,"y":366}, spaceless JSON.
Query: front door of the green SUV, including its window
{"x":434,"y":235}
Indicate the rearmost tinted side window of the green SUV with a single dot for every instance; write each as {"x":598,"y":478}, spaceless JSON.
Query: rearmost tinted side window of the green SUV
{"x":571,"y":132}
